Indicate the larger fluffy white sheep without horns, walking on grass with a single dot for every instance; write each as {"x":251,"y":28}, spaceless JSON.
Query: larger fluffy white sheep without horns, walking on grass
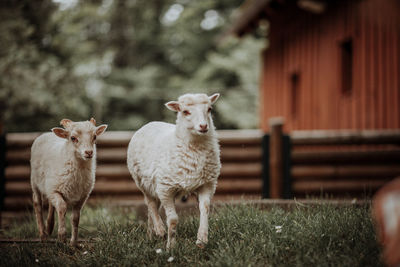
{"x":167,"y":161}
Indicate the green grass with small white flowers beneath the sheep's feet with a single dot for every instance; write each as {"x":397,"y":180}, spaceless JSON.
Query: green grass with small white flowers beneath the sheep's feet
{"x":239,"y":236}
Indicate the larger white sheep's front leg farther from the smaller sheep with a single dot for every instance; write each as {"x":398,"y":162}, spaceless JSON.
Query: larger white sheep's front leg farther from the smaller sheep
{"x":205,"y":194}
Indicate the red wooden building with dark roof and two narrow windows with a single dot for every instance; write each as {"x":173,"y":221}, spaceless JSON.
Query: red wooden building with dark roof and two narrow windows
{"x":328,"y":64}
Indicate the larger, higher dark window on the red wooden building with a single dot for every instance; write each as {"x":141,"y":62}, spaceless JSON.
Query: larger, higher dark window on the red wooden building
{"x":346,"y":48}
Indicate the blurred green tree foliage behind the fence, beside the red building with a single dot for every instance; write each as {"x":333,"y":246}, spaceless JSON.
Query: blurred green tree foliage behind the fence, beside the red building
{"x":120,"y":61}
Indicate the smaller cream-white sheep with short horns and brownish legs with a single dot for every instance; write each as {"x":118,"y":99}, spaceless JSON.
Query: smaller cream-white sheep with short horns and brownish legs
{"x":63,"y":165}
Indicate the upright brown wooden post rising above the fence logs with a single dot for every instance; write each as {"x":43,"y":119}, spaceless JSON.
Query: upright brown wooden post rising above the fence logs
{"x":276,"y":157}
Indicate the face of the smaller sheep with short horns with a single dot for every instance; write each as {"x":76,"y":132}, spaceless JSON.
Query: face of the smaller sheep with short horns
{"x":81,"y":136}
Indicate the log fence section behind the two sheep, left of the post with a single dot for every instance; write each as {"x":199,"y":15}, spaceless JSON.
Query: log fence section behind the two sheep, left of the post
{"x":241,"y":155}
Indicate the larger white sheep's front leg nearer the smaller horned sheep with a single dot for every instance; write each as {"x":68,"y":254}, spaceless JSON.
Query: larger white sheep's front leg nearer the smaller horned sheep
{"x":168,"y":202}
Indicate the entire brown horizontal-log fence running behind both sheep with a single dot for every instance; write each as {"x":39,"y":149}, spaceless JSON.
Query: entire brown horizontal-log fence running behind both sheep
{"x":275,"y":165}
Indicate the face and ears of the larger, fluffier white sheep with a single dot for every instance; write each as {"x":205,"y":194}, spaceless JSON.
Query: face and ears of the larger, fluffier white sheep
{"x":194,"y":112}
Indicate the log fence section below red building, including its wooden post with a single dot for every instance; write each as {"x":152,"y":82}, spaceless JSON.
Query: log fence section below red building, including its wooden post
{"x":334,"y":163}
